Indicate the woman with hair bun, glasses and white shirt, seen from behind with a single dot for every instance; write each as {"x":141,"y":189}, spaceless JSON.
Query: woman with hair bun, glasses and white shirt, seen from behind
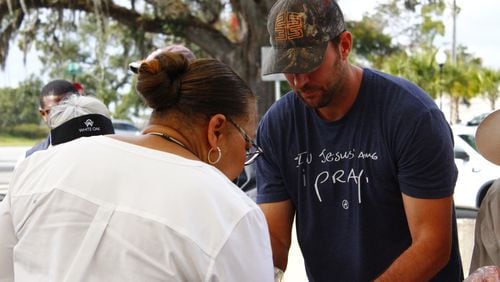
{"x":156,"y":207}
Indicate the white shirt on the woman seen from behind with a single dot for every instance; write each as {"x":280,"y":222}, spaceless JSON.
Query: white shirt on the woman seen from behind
{"x":98,"y":209}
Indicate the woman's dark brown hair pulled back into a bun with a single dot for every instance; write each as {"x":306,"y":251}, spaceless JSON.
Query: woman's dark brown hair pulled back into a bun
{"x":200,"y":88}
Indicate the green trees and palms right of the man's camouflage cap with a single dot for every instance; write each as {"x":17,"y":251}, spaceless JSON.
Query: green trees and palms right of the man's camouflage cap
{"x":462,"y":79}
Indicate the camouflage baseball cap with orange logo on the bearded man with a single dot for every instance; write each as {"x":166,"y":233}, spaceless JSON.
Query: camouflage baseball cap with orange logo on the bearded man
{"x":299,"y":32}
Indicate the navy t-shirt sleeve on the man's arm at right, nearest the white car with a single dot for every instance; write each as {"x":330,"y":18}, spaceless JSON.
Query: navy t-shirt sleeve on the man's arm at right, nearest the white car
{"x":426,"y":166}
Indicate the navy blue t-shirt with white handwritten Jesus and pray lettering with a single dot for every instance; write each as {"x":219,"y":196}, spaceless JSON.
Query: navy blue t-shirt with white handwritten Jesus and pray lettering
{"x":345,"y":178}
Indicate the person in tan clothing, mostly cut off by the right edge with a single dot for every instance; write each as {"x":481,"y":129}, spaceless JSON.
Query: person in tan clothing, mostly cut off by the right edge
{"x":487,"y":231}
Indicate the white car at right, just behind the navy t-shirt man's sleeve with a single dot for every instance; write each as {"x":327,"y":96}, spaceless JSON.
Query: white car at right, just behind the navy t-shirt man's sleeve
{"x":475,"y":173}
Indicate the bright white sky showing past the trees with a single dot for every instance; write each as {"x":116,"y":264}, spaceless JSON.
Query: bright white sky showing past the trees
{"x":476,"y":25}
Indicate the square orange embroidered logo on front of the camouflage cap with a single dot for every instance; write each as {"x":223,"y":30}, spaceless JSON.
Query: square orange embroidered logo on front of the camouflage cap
{"x":289,"y":26}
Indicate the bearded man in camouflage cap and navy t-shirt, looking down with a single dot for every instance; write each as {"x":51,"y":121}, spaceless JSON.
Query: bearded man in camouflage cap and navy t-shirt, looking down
{"x":362,"y":160}
